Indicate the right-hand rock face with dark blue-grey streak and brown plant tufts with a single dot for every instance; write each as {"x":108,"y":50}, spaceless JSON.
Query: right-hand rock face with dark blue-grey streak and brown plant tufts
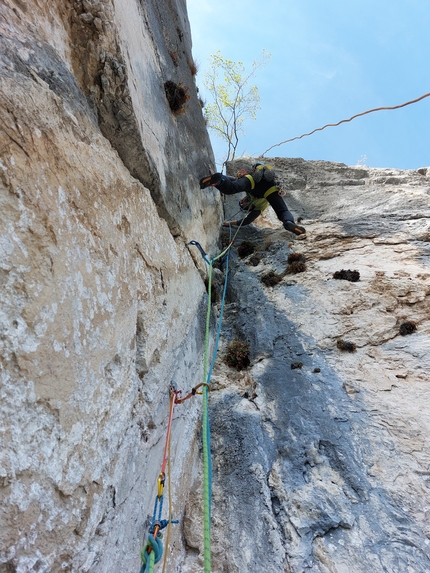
{"x":321,"y":455}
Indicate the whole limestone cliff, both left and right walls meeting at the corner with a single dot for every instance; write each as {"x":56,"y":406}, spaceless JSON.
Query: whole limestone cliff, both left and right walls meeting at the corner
{"x":320,"y":456}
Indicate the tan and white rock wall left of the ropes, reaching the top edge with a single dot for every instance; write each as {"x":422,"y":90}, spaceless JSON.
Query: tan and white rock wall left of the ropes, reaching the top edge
{"x":101,"y":299}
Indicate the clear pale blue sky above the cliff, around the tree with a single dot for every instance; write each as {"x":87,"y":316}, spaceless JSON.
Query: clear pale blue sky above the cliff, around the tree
{"x":330,"y":60}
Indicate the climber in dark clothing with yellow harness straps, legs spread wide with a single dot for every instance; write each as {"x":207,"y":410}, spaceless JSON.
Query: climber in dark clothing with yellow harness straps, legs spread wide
{"x":261,"y":190}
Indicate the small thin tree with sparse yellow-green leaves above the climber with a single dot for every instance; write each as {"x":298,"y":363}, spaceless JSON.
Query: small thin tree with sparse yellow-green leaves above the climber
{"x":234,"y":100}
